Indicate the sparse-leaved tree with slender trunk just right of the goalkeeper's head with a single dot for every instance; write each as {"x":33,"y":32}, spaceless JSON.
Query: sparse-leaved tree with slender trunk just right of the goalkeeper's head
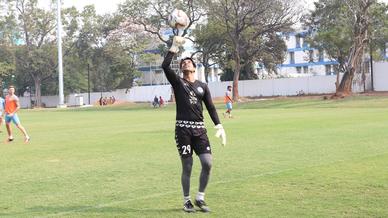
{"x":249,"y":20}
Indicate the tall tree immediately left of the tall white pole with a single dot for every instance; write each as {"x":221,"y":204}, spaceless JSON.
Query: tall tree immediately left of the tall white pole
{"x":36,"y":27}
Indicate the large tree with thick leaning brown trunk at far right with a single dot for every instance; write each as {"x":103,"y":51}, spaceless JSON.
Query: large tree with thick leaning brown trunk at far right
{"x":342,"y":29}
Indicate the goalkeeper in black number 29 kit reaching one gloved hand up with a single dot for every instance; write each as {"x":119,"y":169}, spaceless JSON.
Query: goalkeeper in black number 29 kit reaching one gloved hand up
{"x":190,"y":132}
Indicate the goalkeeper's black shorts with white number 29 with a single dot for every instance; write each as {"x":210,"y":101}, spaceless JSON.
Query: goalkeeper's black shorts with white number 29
{"x":189,"y":139}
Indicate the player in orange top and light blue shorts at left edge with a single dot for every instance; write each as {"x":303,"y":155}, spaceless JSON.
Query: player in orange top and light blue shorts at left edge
{"x":11,"y":107}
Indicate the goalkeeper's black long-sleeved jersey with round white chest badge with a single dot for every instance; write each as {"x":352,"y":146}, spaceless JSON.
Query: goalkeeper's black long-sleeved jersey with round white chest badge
{"x":189,"y":96}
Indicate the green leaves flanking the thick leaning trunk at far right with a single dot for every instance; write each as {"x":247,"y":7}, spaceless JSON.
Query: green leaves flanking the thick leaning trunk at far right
{"x":333,"y":27}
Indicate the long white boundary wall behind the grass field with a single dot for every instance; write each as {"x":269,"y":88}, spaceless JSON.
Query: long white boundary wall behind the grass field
{"x":247,"y":88}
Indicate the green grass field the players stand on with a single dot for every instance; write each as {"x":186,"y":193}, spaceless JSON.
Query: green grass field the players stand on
{"x":292,"y":157}
